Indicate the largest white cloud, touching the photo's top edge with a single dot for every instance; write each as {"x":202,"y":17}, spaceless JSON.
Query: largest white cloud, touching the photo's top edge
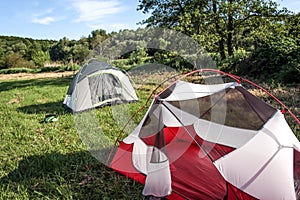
{"x":95,"y":11}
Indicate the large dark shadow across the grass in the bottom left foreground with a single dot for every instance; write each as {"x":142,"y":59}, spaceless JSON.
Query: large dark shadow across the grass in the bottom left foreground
{"x":68,"y":176}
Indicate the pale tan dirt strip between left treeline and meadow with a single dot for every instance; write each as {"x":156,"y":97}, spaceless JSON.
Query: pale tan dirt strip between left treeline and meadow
{"x":36,"y":75}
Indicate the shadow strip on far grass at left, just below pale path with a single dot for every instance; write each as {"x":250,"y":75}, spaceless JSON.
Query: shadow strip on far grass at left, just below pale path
{"x":61,"y":81}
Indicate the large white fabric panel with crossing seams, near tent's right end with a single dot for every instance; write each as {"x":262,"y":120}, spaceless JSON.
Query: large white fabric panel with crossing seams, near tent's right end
{"x":265,"y":164}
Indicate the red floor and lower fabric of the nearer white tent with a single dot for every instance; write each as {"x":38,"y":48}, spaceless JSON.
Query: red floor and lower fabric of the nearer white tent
{"x":193,"y":173}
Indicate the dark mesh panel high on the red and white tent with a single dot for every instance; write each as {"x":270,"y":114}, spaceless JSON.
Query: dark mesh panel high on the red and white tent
{"x":232,"y":108}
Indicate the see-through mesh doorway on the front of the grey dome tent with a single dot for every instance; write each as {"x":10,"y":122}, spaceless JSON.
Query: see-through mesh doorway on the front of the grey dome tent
{"x":104,"y":87}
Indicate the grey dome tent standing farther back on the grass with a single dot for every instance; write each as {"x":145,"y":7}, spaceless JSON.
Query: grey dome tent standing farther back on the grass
{"x":98,"y":84}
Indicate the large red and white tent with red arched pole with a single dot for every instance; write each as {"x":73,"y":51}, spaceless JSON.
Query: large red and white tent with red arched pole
{"x":212,"y":141}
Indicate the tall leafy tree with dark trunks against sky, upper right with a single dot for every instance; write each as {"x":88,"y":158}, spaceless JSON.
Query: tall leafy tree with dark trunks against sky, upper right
{"x":216,"y":24}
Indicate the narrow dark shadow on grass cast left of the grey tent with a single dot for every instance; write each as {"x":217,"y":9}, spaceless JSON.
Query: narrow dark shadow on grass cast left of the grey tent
{"x":51,"y":107}
